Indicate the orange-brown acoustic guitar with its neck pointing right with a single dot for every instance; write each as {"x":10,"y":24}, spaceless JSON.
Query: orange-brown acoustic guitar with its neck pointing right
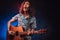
{"x":17,"y":33}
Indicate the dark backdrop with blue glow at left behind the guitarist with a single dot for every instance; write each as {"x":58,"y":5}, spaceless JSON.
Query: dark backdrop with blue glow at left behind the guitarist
{"x":46,"y":12}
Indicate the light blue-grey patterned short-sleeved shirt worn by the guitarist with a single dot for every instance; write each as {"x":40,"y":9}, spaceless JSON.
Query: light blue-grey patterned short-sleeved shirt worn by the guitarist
{"x":23,"y":22}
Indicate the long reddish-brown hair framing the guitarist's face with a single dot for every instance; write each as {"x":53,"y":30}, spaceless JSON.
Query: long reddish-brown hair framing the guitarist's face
{"x":31,"y":10}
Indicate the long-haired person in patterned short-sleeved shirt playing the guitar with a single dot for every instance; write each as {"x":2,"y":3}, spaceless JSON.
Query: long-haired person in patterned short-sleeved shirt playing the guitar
{"x":25,"y":18}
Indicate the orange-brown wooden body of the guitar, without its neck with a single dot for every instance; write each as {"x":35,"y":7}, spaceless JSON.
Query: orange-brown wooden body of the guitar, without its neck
{"x":15,"y":37}
